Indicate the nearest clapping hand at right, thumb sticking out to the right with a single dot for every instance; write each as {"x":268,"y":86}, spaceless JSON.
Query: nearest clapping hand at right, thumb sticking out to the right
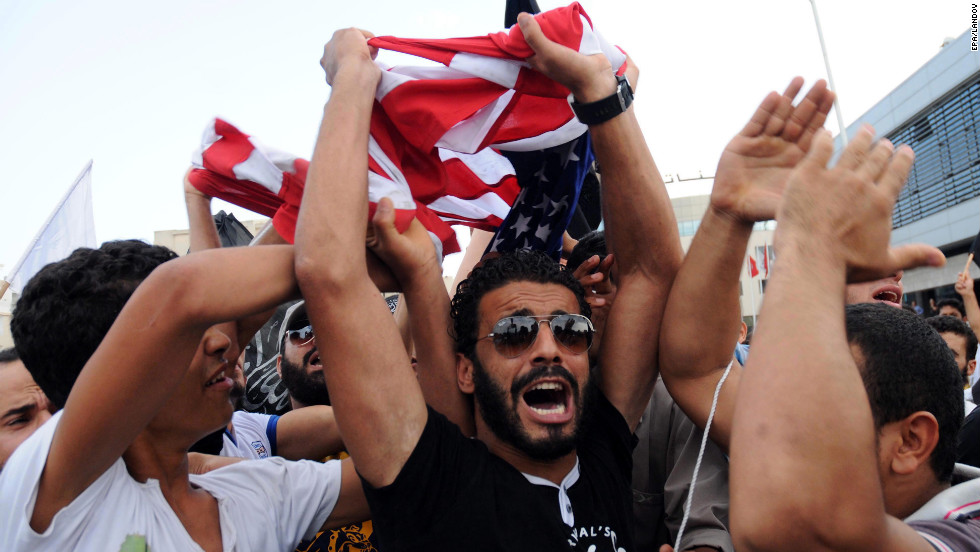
{"x":846,"y":211}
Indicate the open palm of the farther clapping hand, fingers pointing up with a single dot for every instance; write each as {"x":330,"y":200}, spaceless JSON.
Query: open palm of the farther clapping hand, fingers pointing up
{"x":755,"y":165}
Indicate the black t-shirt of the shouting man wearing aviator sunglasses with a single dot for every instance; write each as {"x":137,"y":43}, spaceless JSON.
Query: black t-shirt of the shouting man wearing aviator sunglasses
{"x":453,"y":494}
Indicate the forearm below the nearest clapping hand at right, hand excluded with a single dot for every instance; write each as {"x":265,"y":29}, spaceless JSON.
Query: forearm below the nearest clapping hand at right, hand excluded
{"x":780,"y":442}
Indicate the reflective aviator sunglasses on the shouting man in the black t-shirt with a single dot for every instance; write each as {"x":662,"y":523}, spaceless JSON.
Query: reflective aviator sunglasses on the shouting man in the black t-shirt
{"x":515,"y":334}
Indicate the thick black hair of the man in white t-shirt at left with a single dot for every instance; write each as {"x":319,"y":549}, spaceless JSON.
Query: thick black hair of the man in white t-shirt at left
{"x":68,"y":307}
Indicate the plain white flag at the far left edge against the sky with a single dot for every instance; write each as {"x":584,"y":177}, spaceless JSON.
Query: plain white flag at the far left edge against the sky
{"x":70,"y":226}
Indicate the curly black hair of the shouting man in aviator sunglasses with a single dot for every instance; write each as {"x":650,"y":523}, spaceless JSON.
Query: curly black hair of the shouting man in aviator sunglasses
{"x":515,"y":266}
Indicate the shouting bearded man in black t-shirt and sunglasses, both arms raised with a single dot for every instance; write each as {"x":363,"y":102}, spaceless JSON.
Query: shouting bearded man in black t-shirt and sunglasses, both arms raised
{"x":549,"y":468}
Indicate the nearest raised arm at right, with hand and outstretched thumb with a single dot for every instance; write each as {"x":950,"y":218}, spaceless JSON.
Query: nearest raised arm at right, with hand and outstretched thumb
{"x":804,"y":473}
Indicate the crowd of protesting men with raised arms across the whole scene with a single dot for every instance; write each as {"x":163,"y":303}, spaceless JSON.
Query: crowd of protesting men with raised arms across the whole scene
{"x":595,"y":406}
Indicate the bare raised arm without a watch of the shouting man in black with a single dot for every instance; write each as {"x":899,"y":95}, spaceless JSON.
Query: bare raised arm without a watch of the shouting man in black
{"x":376,"y":398}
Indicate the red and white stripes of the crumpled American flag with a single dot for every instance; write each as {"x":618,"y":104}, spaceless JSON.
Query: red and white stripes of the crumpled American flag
{"x":434,"y":133}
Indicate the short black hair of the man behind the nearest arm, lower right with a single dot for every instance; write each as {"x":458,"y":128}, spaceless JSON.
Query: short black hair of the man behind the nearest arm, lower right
{"x":907,"y":368}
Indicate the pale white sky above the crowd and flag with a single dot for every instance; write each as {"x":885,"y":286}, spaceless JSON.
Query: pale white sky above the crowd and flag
{"x":132,"y":84}
